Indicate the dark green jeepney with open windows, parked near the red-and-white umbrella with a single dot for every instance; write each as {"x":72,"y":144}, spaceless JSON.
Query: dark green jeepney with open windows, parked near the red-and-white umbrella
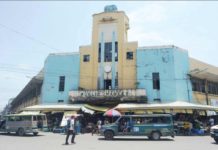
{"x":153,"y":126}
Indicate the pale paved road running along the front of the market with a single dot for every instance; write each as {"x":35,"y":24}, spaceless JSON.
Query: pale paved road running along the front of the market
{"x":50,"y":141}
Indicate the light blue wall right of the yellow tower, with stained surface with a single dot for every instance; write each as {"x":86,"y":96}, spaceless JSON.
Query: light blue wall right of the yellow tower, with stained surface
{"x":172,"y":64}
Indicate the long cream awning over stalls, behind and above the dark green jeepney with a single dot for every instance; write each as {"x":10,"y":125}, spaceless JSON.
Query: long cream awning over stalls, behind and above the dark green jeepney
{"x":178,"y":105}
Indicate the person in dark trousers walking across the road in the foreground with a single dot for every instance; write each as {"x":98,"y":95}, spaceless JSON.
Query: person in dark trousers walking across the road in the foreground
{"x":70,"y":130}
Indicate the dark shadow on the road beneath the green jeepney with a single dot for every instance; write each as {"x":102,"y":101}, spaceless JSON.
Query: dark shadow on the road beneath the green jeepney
{"x":135,"y":139}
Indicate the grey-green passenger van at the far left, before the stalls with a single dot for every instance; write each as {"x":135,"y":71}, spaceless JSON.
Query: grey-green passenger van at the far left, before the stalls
{"x":23,"y":123}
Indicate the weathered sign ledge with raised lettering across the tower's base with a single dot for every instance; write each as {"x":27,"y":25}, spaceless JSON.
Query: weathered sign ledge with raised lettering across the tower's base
{"x":84,"y":95}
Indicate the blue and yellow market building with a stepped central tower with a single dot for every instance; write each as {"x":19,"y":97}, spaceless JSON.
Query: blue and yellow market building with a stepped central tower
{"x":112,"y":70}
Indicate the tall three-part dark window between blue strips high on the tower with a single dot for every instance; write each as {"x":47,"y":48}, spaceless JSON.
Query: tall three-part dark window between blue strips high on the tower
{"x":108,"y":52}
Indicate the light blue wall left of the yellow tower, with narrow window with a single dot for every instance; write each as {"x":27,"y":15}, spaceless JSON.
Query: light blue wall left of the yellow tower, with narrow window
{"x":57,"y":65}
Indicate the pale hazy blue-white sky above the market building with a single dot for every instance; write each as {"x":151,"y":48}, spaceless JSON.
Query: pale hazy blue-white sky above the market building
{"x":29,"y":31}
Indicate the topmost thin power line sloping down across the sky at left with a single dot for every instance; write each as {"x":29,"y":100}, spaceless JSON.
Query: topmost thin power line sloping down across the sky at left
{"x":28,"y":37}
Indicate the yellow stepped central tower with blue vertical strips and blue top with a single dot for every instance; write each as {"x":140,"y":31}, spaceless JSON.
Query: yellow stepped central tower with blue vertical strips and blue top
{"x":110,"y":61}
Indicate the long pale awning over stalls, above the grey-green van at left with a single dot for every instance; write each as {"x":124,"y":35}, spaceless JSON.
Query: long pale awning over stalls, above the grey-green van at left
{"x":48,"y":108}
